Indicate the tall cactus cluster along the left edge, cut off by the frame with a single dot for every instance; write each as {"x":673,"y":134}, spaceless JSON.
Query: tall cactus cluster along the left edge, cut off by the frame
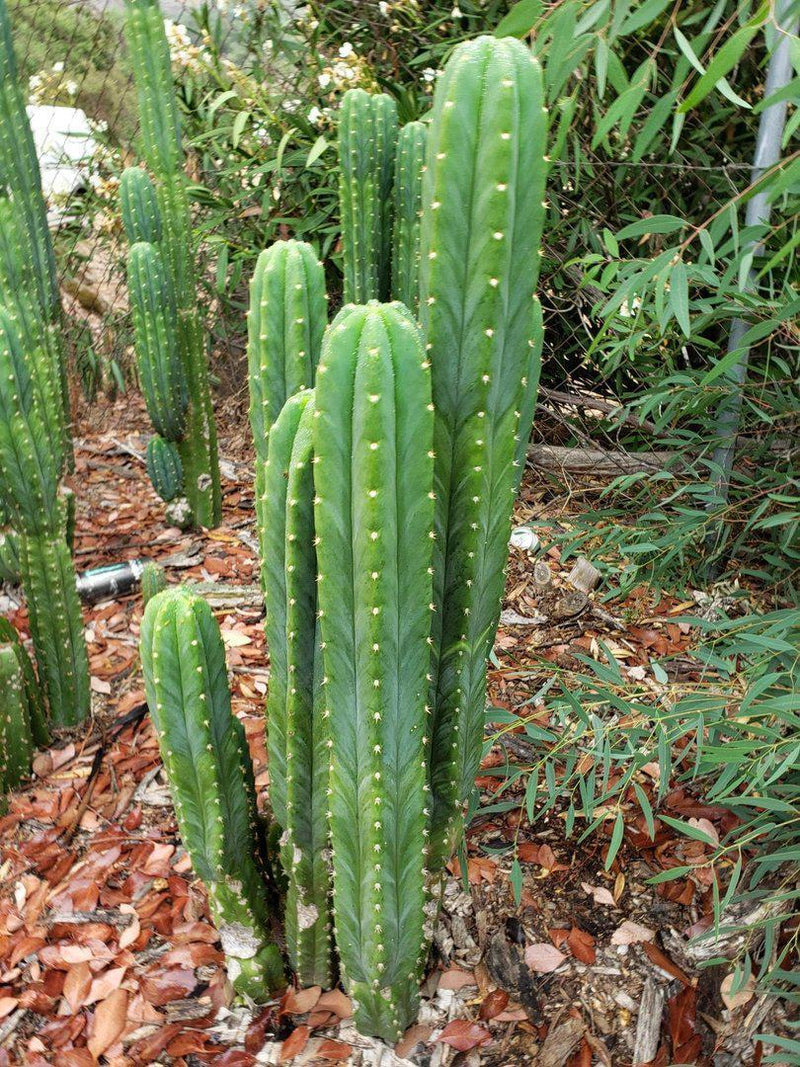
{"x":36,"y":447}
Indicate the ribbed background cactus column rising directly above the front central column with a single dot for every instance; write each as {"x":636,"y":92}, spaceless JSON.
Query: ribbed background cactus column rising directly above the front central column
{"x":367,"y":147}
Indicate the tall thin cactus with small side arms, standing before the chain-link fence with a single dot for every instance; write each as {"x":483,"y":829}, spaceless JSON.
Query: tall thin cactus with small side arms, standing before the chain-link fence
{"x":170,"y":339}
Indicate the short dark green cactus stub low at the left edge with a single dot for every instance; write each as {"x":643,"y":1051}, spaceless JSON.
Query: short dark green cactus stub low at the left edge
{"x":23,"y":722}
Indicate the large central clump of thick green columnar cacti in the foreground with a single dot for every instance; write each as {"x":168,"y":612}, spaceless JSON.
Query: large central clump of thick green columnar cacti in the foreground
{"x":389,"y":450}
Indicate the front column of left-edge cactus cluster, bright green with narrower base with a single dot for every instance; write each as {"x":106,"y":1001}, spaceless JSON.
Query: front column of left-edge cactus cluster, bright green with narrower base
{"x":30,"y":465}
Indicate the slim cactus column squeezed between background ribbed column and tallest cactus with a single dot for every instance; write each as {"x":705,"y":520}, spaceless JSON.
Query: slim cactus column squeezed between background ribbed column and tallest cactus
{"x":408,"y":212}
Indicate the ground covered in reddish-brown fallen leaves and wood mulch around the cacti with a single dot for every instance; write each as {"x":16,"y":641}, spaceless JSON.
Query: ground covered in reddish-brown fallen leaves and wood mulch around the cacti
{"x":107,"y":954}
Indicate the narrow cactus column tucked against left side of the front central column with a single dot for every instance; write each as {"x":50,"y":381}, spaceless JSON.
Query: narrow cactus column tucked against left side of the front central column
{"x":297,"y":728}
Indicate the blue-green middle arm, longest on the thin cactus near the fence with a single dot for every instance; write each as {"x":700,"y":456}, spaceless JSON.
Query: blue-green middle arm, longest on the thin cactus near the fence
{"x":156,"y":328}
